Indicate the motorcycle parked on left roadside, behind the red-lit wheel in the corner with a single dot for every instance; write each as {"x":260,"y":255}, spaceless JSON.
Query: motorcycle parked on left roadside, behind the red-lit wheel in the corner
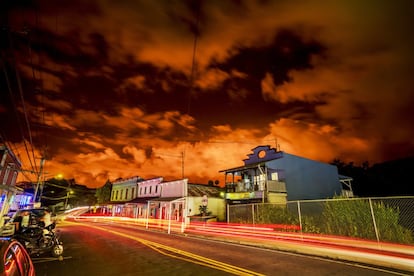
{"x":39,"y":239}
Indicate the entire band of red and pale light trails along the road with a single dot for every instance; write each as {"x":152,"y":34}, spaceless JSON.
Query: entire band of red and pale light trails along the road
{"x":384,"y":254}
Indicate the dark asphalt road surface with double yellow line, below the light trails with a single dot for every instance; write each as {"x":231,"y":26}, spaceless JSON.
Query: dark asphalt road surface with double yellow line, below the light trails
{"x":108,"y":249}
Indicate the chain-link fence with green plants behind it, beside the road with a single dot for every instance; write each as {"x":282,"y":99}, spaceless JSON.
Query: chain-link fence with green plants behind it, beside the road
{"x":389,"y":219}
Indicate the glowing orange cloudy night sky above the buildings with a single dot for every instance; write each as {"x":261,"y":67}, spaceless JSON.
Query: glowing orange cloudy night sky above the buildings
{"x":110,"y":88}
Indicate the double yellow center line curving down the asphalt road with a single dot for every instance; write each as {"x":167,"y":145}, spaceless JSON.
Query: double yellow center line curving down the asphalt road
{"x":197,"y":259}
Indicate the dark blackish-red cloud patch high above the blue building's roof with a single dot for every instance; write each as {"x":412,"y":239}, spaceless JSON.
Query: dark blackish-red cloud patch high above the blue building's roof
{"x":240,"y":99}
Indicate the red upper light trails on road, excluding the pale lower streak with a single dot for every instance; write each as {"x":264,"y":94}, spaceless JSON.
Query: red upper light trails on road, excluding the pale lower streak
{"x":263,"y":232}
